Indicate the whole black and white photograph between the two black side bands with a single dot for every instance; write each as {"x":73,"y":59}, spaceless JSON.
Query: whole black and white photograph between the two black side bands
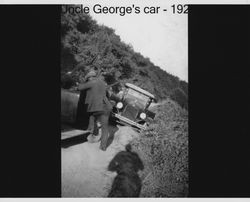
{"x":124,"y":100}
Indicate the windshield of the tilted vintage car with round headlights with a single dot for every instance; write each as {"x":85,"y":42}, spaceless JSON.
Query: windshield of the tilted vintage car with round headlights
{"x":136,"y":98}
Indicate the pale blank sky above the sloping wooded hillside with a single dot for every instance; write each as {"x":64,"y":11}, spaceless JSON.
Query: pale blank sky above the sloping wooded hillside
{"x":162,"y":37}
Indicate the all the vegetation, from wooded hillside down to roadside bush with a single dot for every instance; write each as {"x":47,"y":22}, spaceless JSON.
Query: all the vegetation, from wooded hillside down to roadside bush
{"x":164,"y":146}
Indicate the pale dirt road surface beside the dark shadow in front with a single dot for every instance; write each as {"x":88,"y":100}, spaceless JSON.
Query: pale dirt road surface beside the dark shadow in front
{"x":84,"y":166}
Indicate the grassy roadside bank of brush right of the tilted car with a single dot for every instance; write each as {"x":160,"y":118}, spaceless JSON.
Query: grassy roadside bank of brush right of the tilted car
{"x":164,"y":150}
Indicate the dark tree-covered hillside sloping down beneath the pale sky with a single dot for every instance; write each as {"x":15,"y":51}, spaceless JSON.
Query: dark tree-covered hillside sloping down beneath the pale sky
{"x":86,"y":45}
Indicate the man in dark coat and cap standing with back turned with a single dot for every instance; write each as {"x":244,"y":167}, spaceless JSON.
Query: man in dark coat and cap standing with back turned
{"x":98,"y":105}
